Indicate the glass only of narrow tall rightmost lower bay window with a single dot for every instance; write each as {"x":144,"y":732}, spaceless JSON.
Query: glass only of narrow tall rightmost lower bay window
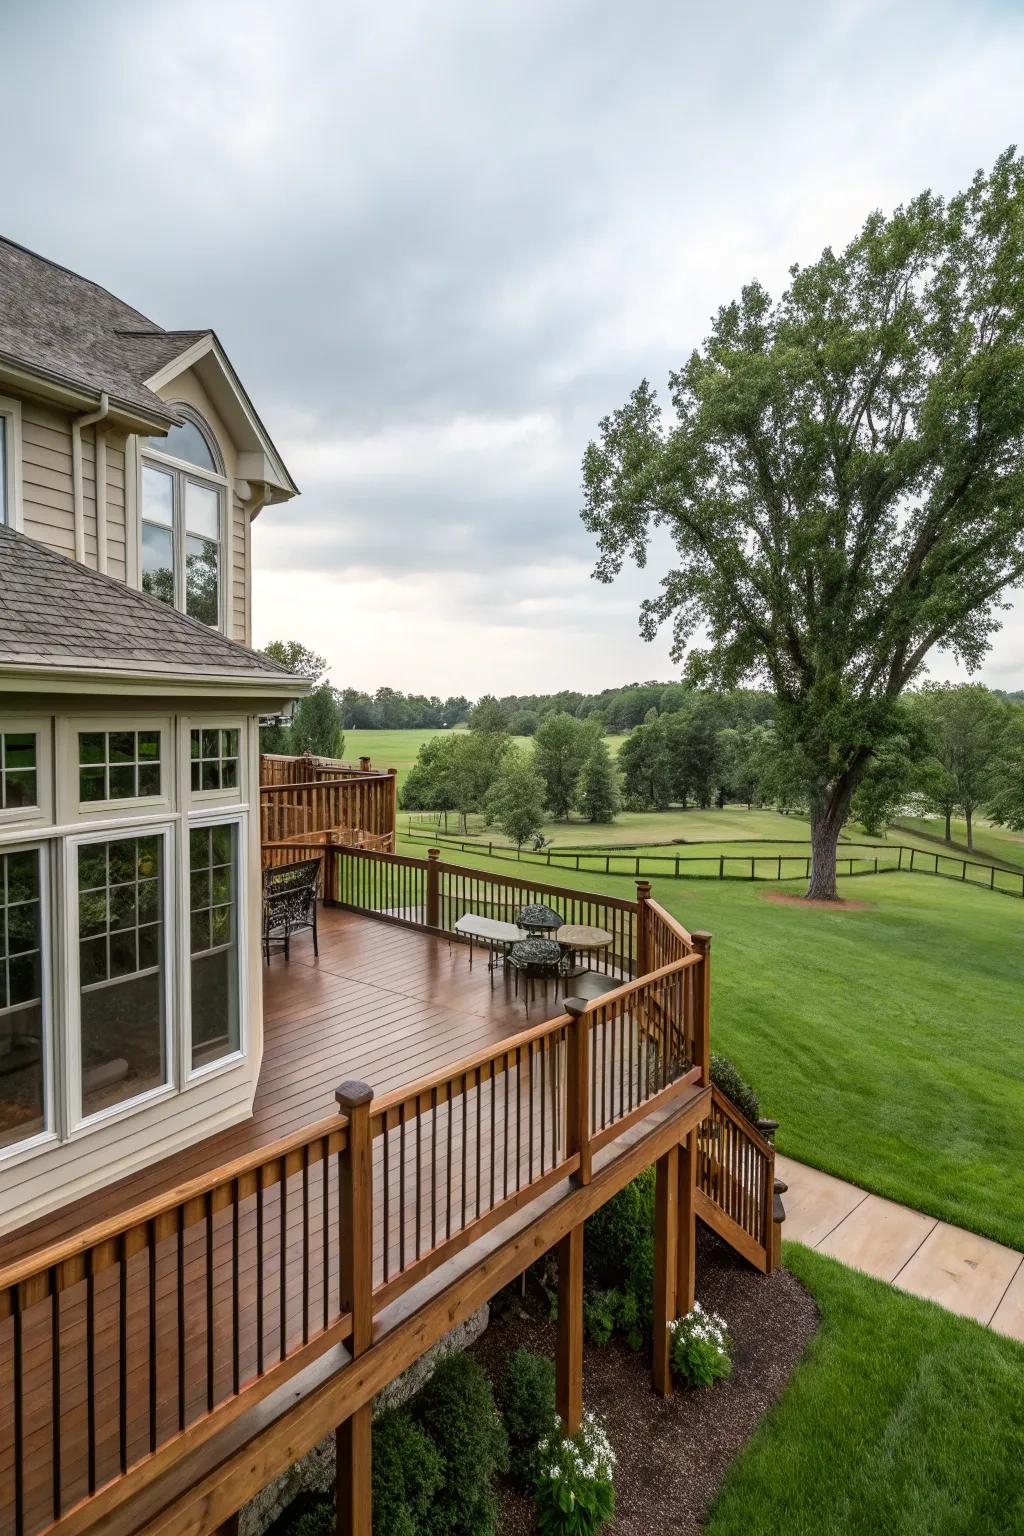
{"x":214,"y":929}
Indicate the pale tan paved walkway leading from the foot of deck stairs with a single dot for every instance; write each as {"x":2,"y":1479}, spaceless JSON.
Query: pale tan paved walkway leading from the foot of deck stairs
{"x":968,"y":1274}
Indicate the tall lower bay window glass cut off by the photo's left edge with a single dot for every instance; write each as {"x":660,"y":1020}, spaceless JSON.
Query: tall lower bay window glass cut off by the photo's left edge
{"x":22,"y":1056}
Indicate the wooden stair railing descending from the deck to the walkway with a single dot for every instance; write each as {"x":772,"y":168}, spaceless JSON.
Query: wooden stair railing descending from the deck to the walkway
{"x":736,"y":1180}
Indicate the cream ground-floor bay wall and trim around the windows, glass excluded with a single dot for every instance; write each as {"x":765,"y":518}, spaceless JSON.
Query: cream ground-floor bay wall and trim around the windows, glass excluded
{"x":73,"y":1159}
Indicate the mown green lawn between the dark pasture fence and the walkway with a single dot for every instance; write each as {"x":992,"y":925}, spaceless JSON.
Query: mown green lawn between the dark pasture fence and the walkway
{"x":888,"y":1042}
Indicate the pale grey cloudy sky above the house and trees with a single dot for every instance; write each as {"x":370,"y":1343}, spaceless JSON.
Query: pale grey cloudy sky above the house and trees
{"x":440,"y":240}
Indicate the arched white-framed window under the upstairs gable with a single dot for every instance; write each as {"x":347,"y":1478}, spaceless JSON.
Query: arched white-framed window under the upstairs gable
{"x":183,"y":520}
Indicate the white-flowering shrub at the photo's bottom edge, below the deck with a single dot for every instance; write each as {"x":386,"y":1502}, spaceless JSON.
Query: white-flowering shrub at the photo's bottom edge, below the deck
{"x":575,"y":1481}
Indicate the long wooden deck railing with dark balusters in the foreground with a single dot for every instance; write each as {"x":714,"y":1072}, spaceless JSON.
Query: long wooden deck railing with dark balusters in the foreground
{"x":127,"y":1346}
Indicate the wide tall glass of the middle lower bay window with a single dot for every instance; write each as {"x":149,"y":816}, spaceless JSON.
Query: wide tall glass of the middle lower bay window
{"x":122,"y":970}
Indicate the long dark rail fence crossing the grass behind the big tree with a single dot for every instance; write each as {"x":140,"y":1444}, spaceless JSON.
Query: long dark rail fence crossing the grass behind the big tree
{"x":891,"y":859}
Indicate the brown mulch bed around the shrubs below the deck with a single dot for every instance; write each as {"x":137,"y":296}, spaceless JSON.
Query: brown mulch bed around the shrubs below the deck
{"x":673,"y":1454}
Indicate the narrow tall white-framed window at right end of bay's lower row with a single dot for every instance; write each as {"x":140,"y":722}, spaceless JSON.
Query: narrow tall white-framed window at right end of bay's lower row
{"x":216,"y":1025}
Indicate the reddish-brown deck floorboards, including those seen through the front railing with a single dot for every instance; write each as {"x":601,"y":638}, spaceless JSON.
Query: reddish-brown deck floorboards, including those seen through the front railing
{"x":383,"y":1004}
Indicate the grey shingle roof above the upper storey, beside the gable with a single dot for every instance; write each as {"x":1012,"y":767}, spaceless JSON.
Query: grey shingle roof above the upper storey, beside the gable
{"x":55,"y":320}
